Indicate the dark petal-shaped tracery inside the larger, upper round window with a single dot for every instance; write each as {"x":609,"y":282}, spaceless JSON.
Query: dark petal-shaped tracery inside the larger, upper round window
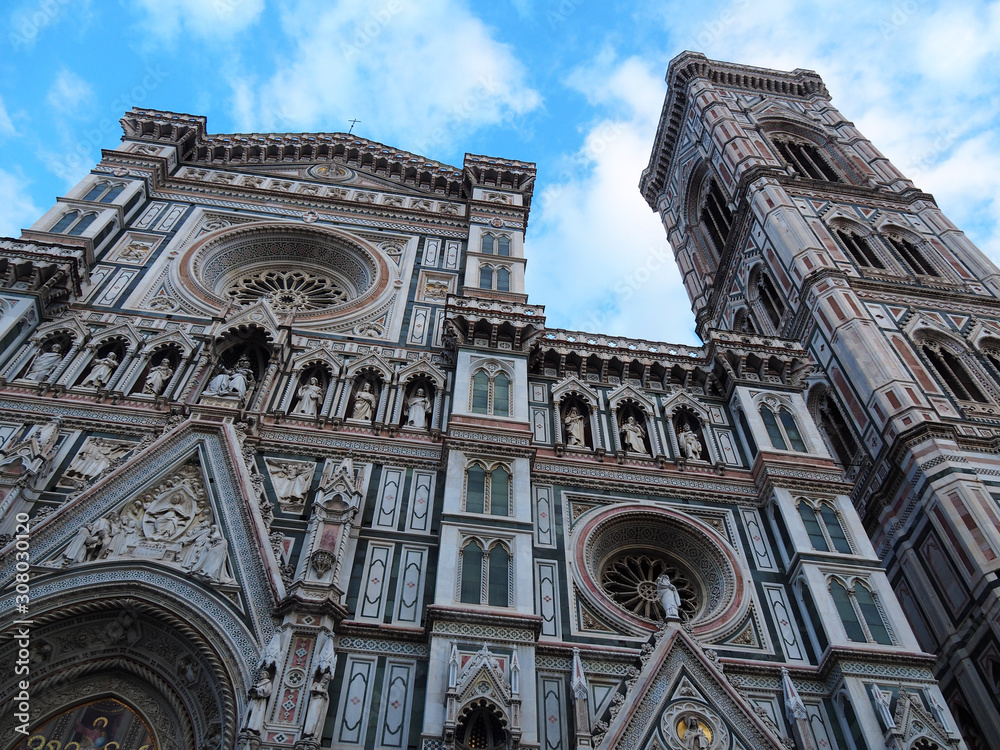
{"x":288,"y":290}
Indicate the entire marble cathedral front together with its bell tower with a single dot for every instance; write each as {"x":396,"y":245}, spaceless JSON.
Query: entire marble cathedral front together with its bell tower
{"x":290,"y":461}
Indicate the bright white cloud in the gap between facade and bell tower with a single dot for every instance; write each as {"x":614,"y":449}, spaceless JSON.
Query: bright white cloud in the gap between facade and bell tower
{"x":598,"y":253}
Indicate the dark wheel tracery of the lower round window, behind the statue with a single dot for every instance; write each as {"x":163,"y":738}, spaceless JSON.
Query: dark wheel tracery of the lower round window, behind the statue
{"x":630,"y":581}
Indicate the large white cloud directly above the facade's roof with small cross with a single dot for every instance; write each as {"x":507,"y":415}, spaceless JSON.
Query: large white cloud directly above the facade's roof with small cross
{"x":418,"y":75}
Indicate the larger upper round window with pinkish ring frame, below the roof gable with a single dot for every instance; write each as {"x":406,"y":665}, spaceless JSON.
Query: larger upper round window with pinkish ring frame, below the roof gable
{"x":311,"y":271}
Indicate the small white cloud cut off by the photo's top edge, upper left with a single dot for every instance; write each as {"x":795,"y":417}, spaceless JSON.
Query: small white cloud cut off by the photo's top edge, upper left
{"x":203,"y":18}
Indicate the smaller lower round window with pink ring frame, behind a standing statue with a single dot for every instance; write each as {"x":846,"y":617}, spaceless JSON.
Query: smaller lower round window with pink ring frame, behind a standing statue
{"x":620,"y":551}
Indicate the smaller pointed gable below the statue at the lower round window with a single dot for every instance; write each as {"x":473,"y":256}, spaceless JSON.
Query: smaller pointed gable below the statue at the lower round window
{"x":658,"y":713}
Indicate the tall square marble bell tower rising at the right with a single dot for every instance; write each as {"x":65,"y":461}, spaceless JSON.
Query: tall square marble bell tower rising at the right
{"x":787,"y":222}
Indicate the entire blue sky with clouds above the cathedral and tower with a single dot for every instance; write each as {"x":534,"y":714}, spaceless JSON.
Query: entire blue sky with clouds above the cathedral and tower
{"x":574,"y":85}
